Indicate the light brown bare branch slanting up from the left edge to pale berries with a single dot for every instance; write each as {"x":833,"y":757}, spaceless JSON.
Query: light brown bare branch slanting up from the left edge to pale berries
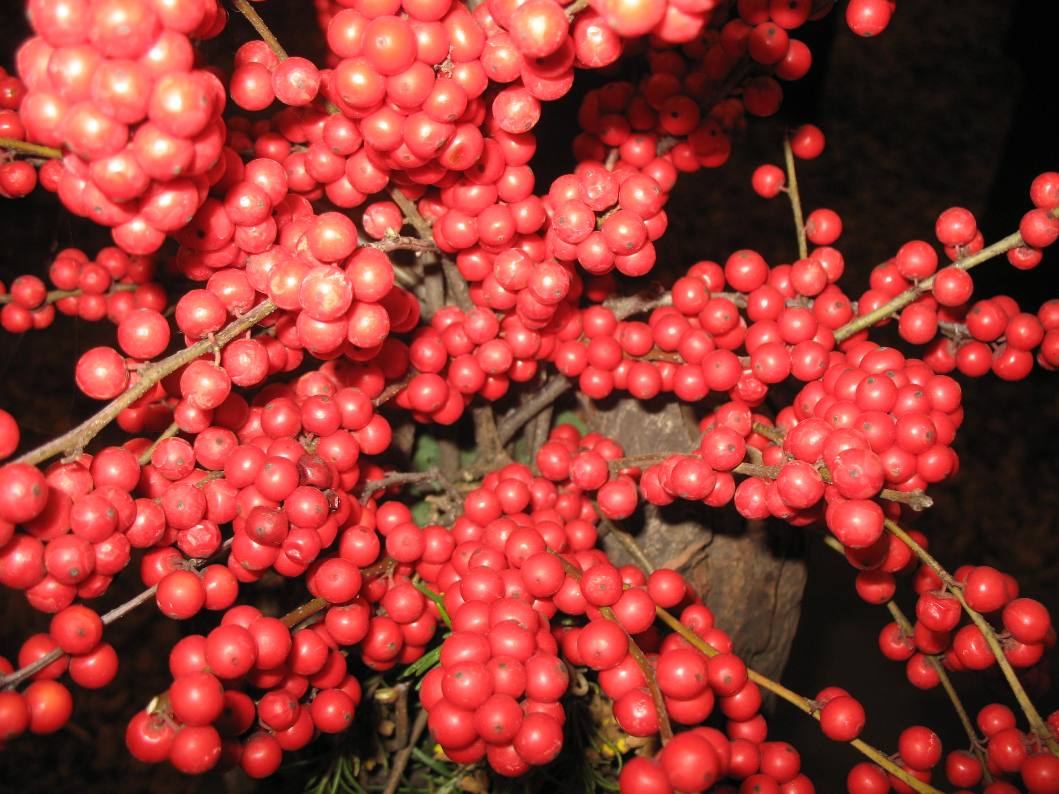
{"x":77,"y":440}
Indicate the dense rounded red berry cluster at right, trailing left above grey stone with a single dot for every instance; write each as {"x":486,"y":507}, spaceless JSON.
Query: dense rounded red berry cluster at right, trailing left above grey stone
{"x":873,"y":421}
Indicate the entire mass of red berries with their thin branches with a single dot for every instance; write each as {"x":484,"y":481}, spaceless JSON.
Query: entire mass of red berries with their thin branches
{"x":315,"y":261}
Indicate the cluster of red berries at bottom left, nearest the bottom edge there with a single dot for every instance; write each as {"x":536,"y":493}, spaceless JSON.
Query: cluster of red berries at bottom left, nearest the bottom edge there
{"x":206,"y":715}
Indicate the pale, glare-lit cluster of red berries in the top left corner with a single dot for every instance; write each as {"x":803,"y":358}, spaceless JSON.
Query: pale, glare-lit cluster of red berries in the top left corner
{"x":114,"y":82}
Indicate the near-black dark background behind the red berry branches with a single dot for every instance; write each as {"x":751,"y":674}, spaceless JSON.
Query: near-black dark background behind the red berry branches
{"x":954,"y":105}
